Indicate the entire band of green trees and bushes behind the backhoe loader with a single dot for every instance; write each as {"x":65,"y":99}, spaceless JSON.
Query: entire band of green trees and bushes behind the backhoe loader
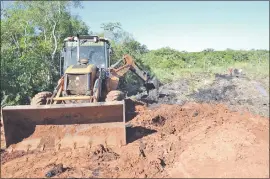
{"x":32,"y":34}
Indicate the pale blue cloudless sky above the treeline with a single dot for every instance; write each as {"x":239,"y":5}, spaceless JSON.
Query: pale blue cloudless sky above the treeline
{"x":190,"y":26}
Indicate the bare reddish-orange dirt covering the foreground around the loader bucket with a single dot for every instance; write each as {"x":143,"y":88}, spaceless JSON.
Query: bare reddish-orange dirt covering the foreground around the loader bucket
{"x":194,"y":140}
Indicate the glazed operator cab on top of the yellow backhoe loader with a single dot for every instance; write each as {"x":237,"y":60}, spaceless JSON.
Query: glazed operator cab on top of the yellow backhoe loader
{"x":92,"y":50}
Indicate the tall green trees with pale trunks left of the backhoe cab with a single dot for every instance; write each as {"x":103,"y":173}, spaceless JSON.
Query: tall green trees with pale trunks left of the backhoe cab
{"x":31,"y":39}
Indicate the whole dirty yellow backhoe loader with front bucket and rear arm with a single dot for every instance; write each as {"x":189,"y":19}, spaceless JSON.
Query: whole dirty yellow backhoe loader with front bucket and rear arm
{"x":85,"y":109}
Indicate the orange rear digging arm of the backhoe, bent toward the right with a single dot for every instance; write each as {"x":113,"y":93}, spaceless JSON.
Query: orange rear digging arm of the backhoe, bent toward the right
{"x":129,"y":64}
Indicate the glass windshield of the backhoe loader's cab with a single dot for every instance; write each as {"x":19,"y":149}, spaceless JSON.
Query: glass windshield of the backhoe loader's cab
{"x":90,"y":50}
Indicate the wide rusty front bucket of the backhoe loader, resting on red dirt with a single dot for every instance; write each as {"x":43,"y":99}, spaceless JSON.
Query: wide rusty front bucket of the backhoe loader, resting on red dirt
{"x":64,"y":125}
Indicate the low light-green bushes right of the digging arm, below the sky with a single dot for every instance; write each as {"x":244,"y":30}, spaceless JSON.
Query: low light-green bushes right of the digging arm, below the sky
{"x":169,"y":64}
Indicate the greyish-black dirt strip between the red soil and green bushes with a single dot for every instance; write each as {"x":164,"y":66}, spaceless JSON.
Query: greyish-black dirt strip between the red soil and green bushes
{"x":239,"y":93}
